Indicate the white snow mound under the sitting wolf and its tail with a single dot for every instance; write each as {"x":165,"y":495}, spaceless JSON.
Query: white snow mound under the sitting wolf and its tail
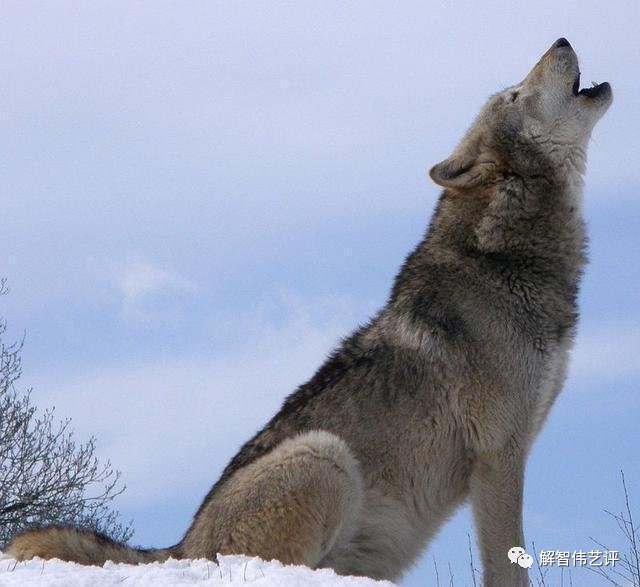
{"x":238,"y":570}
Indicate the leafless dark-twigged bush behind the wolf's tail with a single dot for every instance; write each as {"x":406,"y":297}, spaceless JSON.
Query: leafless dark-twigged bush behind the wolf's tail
{"x":45,"y":476}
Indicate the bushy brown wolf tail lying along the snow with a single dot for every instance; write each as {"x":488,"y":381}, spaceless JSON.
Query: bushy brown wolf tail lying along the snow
{"x":80,"y":546}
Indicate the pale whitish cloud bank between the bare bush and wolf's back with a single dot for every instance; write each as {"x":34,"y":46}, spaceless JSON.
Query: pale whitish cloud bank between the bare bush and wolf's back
{"x":171,"y":425}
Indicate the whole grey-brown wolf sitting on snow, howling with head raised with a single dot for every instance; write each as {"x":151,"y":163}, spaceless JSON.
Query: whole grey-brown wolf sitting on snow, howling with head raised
{"x":438,"y":398}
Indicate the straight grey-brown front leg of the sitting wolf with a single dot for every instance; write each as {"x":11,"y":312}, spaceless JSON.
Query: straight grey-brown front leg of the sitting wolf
{"x":496,"y":488}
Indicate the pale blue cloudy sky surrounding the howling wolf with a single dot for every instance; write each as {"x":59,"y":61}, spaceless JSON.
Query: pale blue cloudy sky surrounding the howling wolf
{"x":200,"y":198}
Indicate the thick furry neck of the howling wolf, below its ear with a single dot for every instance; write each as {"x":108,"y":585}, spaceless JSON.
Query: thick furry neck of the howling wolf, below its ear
{"x":537,"y":216}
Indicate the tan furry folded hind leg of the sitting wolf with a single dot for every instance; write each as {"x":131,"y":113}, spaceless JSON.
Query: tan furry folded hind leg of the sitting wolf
{"x":292,"y":504}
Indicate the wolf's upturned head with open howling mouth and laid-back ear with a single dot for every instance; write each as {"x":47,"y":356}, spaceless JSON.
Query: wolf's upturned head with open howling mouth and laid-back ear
{"x":540,"y":126}
